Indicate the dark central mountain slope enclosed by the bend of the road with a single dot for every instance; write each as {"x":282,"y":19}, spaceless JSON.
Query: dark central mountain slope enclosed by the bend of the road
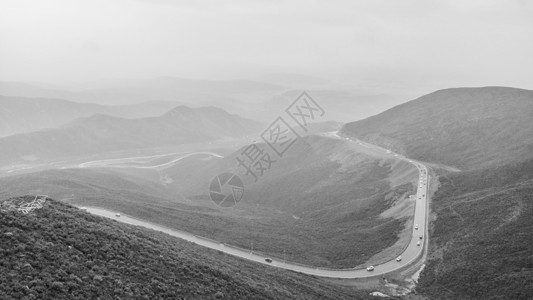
{"x":307,"y":204}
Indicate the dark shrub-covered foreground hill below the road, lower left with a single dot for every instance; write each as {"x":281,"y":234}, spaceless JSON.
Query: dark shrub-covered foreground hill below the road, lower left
{"x":59,"y":252}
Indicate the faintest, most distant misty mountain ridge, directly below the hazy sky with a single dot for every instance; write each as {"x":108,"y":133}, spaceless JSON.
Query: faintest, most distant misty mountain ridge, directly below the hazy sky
{"x":262,"y":98}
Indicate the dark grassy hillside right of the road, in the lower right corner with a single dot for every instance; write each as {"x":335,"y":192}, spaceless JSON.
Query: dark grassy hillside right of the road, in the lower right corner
{"x":481,"y":241}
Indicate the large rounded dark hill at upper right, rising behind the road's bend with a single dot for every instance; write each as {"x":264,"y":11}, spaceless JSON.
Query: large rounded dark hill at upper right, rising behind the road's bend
{"x":463,"y":127}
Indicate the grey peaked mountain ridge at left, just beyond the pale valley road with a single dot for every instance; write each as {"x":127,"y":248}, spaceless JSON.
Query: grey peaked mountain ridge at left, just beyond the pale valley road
{"x":104,"y":133}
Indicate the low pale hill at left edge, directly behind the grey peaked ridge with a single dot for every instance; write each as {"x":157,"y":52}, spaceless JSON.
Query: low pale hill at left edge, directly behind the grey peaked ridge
{"x":20,"y":114}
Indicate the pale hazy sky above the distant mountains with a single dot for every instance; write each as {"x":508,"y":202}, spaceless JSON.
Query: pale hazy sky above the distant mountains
{"x":414,"y":44}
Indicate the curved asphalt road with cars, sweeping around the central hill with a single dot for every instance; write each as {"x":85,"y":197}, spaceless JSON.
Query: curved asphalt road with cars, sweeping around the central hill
{"x":412,"y":253}
